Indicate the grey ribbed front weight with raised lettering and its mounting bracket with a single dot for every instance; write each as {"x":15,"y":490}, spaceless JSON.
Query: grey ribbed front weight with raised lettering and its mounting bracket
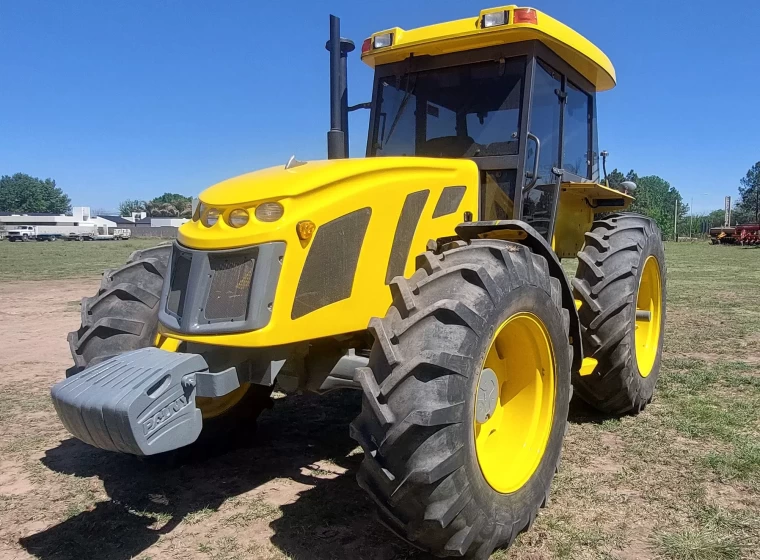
{"x":140,"y":402}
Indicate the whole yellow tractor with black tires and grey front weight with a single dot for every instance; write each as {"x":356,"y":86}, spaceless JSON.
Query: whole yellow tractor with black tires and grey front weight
{"x":427,"y":275}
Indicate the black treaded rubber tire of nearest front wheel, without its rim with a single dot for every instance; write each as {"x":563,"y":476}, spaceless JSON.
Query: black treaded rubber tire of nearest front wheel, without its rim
{"x":417,"y":418}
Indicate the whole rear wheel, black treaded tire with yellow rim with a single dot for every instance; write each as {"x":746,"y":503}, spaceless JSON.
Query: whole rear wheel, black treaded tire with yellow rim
{"x":621,"y":271}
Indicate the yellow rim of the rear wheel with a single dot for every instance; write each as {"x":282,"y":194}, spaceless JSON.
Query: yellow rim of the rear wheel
{"x":648,"y":316}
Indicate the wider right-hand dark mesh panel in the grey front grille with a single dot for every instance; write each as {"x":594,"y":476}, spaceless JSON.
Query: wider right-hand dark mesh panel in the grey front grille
{"x":230,"y":290}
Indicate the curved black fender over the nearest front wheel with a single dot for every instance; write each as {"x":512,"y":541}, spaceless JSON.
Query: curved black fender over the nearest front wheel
{"x":520,"y":232}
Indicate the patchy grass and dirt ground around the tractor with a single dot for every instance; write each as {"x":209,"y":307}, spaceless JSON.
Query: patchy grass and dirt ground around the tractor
{"x":680,"y":481}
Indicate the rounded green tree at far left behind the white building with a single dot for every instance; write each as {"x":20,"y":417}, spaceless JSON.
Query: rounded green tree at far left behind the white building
{"x":23,"y":193}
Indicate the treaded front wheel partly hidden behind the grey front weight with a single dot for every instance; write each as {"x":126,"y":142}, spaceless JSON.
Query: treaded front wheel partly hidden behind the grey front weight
{"x":123,"y":316}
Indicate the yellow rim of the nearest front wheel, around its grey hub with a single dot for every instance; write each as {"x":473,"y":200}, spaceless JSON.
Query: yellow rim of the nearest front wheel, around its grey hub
{"x":512,"y":441}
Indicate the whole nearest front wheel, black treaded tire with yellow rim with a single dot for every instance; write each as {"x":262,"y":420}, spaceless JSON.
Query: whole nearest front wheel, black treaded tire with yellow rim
{"x":427,"y":460}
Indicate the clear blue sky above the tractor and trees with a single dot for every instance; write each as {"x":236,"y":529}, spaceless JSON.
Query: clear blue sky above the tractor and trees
{"x":121,"y":99}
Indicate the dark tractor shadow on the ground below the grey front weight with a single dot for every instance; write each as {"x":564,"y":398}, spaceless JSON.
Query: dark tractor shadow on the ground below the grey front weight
{"x":332,"y":518}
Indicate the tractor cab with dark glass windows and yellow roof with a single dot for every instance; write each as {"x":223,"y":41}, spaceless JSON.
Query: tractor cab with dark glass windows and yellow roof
{"x":512,"y":89}
